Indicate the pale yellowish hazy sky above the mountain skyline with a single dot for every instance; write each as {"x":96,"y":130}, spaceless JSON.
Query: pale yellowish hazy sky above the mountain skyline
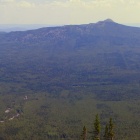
{"x":68,"y":11}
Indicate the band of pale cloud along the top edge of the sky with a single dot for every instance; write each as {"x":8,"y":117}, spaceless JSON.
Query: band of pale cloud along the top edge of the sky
{"x":68,"y":3}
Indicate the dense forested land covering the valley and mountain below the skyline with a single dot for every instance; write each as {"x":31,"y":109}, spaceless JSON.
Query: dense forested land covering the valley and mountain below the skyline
{"x":53,"y":82}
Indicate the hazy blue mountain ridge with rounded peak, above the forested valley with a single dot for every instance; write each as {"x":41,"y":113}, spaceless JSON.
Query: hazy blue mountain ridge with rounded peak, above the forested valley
{"x":102,"y":32}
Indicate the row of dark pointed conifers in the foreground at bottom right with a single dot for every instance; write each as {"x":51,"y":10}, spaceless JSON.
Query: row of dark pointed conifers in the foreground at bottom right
{"x":108,"y":131}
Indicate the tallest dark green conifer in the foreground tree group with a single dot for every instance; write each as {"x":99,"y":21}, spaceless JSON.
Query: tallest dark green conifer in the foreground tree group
{"x":97,"y":128}
